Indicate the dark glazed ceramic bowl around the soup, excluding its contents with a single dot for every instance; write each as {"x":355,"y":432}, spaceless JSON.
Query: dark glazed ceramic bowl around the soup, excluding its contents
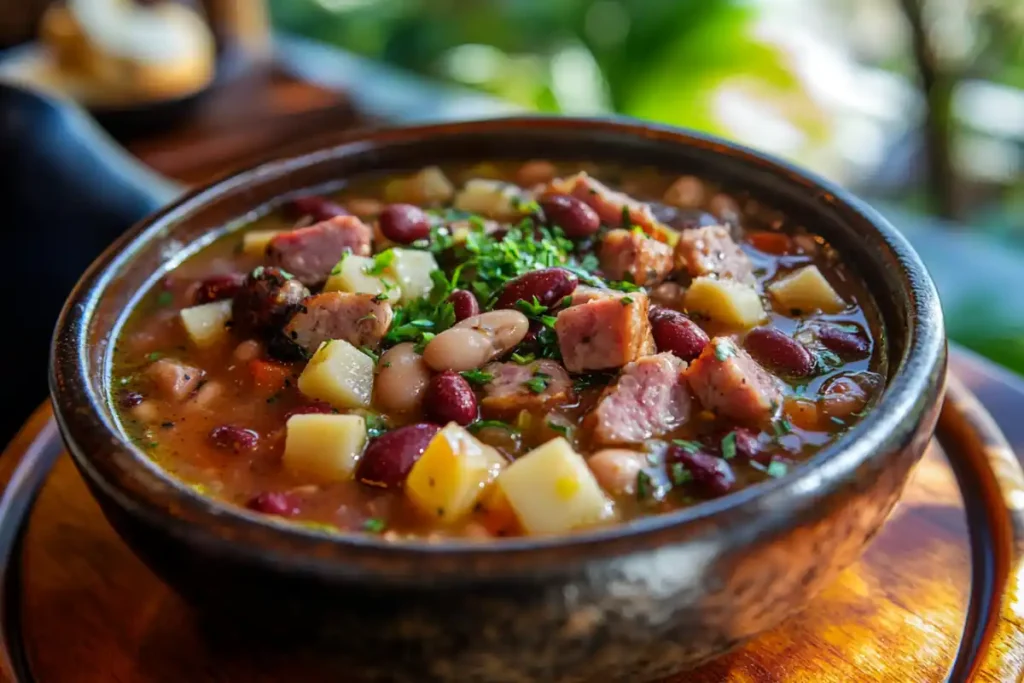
{"x":627,"y":604}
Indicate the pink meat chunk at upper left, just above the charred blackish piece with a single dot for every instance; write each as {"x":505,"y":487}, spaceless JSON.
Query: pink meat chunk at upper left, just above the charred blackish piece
{"x":310,"y":253}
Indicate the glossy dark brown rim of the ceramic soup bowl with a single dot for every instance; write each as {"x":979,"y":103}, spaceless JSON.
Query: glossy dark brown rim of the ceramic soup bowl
{"x":259,"y":538}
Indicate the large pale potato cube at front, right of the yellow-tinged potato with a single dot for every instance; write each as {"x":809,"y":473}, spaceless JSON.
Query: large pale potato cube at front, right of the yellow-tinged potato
{"x":552,"y":491}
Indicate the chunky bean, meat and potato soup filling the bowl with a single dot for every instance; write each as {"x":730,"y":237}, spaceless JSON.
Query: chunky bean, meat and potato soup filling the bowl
{"x":495,"y":351}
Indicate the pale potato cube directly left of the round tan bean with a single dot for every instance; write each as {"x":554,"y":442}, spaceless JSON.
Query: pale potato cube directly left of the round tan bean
{"x":340,"y":375}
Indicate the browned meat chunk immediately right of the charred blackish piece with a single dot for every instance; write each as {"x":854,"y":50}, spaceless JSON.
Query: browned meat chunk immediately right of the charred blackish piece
{"x":359,"y":319}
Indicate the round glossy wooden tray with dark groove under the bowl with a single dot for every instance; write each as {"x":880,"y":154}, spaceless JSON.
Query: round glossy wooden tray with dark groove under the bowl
{"x":936,"y":597}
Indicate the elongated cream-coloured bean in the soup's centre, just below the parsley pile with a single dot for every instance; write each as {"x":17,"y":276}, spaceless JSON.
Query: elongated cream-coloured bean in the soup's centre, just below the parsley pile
{"x":476,"y":341}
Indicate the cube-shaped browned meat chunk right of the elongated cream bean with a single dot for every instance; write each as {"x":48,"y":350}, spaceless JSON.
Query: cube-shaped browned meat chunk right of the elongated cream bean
{"x":607,"y":332}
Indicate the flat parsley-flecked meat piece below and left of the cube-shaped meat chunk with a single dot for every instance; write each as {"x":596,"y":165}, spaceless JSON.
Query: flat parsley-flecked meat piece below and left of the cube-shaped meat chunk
{"x":514,"y":389}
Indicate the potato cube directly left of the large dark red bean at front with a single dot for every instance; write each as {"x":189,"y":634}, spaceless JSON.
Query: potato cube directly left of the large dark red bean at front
{"x":324,"y":448}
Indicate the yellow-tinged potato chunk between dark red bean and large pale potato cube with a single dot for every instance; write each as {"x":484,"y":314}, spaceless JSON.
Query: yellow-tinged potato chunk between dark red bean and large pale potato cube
{"x":452,"y":475}
